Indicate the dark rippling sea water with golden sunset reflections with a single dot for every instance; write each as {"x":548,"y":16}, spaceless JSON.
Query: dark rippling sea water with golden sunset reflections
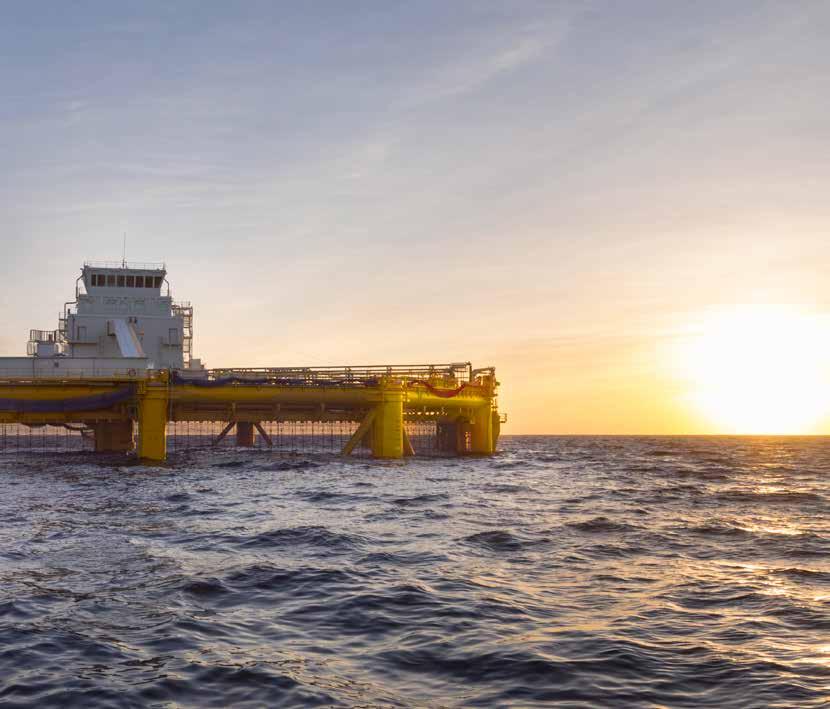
{"x":584,"y":571}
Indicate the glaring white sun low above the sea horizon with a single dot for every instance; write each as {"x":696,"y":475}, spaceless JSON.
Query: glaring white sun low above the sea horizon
{"x":760,"y":369}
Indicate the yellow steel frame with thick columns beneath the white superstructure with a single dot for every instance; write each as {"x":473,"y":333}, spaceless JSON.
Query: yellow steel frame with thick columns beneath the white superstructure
{"x":382,"y":408}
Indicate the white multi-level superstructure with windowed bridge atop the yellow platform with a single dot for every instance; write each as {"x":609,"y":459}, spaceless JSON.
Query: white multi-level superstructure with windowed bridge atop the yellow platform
{"x":123,"y":318}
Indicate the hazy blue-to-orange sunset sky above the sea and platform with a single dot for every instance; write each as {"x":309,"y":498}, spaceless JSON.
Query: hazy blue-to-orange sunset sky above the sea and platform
{"x":565,"y":190}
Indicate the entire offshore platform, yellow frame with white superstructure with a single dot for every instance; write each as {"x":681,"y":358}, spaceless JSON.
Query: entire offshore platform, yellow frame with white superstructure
{"x":118,"y":376}
